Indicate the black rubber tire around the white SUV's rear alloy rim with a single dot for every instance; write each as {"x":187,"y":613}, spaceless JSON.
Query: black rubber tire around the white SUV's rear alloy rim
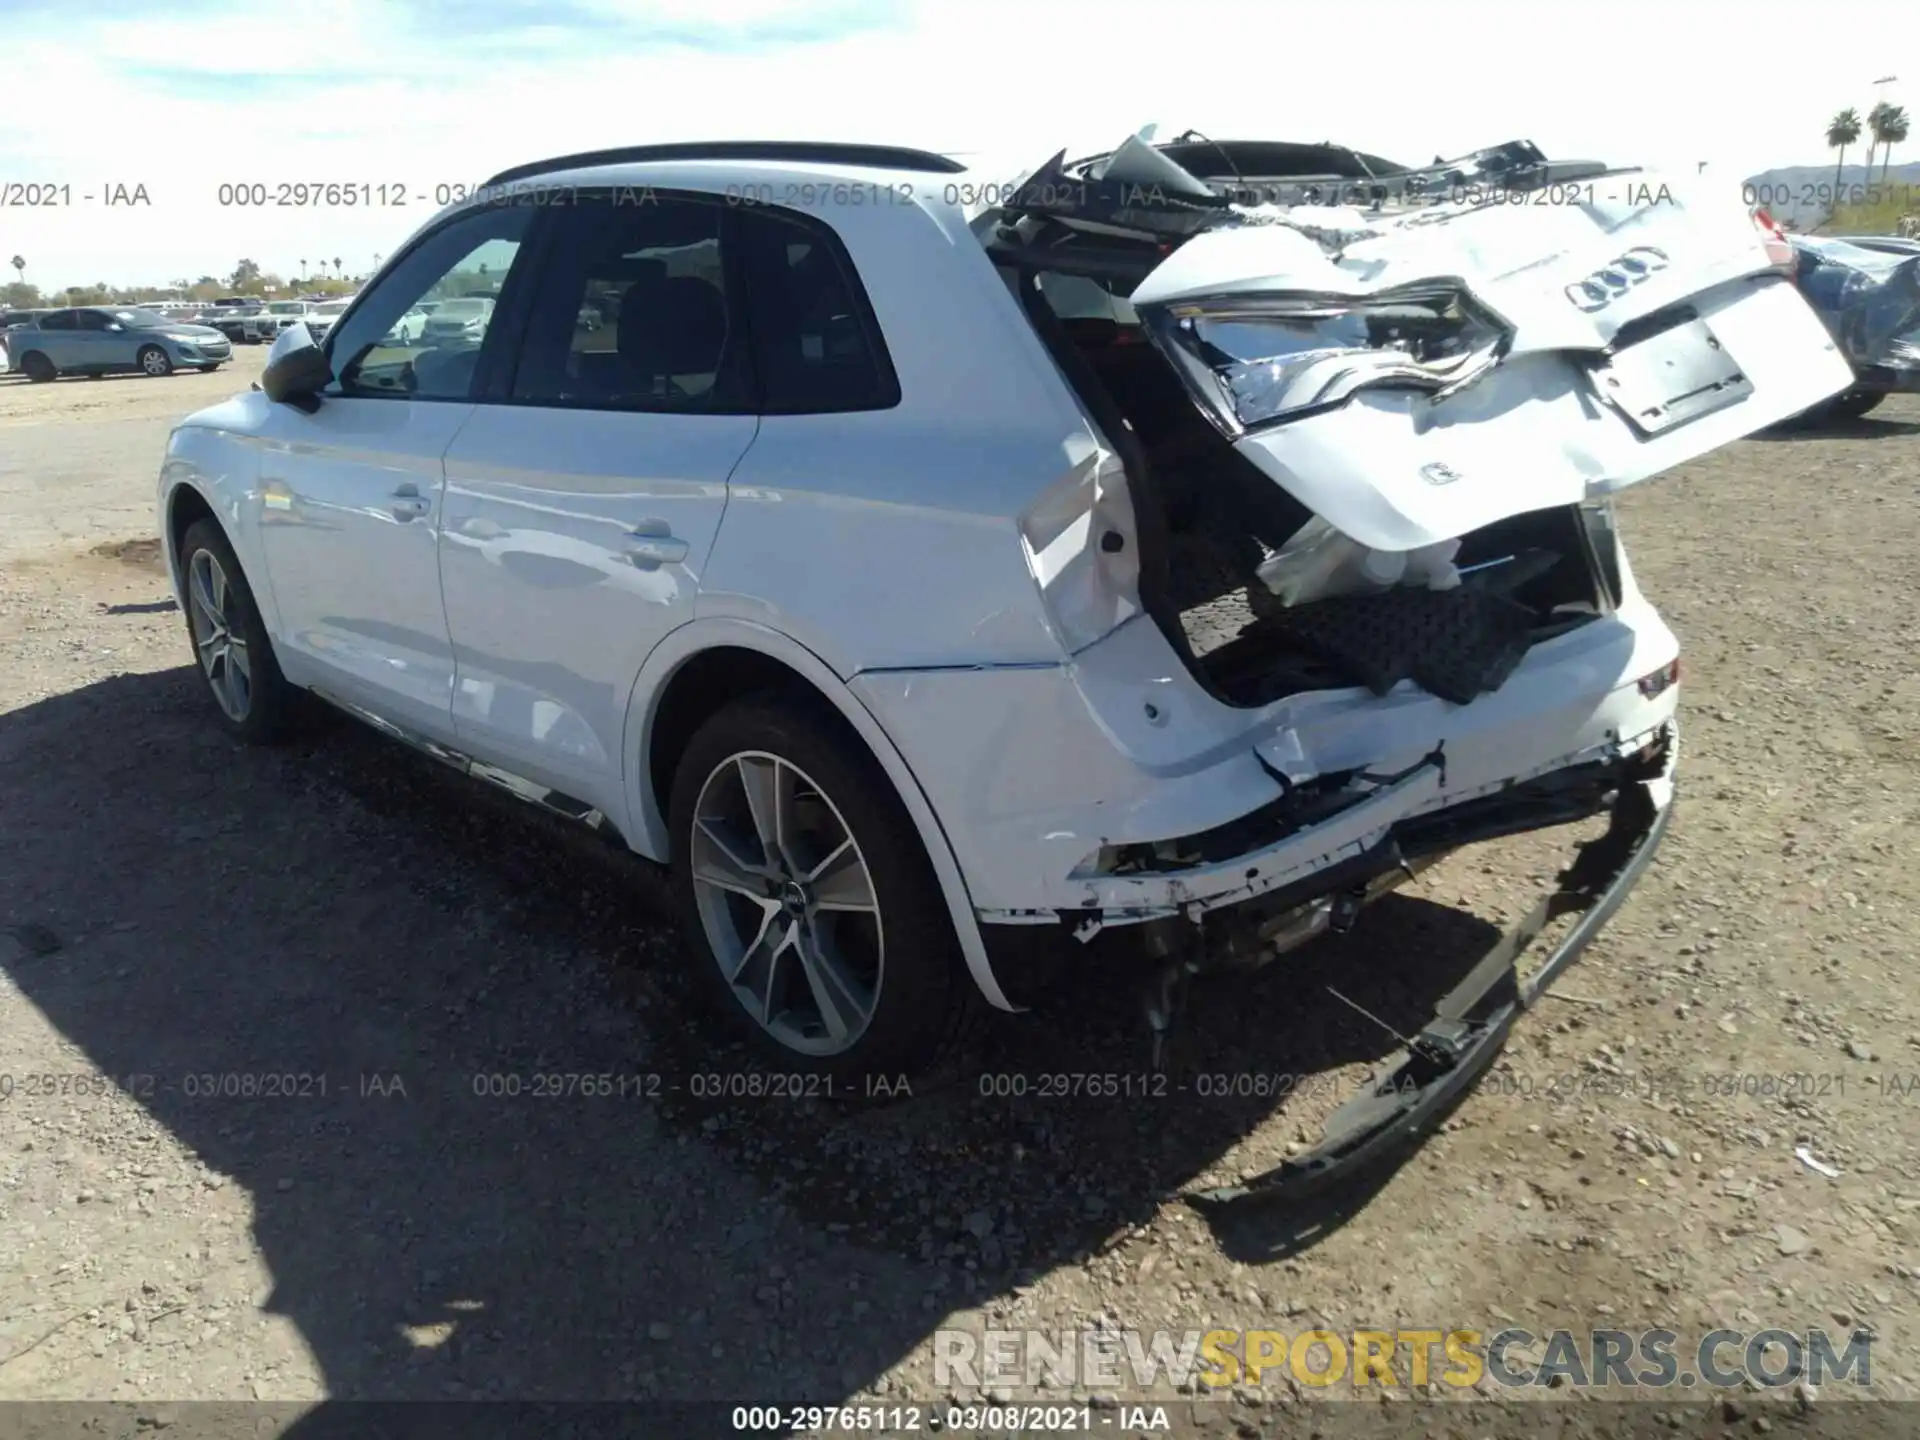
{"x":924,"y":994}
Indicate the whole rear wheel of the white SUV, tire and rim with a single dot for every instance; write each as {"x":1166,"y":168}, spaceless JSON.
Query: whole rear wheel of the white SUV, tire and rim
{"x":815,"y":919}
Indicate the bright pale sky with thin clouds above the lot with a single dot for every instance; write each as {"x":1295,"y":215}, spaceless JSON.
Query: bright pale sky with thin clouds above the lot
{"x":185,"y":95}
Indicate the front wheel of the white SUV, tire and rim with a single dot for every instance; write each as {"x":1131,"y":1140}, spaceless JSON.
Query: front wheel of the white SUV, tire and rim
{"x":231,"y":642}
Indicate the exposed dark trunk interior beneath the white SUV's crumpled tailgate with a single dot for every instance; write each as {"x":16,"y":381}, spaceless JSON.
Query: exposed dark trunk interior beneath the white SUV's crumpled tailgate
{"x":1524,"y":579}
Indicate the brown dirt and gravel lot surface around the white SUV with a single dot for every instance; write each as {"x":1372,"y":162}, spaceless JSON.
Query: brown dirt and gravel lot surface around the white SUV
{"x":191,"y":917}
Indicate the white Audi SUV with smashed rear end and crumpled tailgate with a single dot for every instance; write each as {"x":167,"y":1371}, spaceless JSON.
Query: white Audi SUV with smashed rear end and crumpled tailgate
{"x":1193,"y":539}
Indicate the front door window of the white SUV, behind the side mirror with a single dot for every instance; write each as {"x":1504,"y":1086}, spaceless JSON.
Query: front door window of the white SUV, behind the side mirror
{"x":468,"y":254}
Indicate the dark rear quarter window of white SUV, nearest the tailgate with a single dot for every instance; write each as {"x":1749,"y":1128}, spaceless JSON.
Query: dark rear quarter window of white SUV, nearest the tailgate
{"x":817,"y":347}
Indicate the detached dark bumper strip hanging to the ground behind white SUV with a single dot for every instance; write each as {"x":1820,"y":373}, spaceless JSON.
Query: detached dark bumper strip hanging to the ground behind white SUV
{"x":1416,"y":1086}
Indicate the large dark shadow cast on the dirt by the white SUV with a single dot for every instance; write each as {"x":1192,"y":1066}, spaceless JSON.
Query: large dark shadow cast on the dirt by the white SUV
{"x":414,"y":955}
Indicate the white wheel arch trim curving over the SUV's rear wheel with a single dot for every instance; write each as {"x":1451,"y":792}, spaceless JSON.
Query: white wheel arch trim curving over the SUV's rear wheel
{"x":706,"y":663}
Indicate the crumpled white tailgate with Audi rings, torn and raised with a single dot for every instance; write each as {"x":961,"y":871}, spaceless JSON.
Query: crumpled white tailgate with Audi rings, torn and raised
{"x":1627,"y":324}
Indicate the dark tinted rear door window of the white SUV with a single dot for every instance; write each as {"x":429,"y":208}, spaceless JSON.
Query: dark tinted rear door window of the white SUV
{"x":633,"y":312}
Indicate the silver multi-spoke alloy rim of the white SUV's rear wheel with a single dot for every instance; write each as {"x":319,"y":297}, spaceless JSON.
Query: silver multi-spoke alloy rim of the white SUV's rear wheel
{"x":786,"y":903}
